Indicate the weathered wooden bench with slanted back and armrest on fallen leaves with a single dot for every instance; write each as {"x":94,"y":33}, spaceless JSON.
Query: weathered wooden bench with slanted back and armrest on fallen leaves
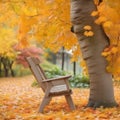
{"x":51,"y":87}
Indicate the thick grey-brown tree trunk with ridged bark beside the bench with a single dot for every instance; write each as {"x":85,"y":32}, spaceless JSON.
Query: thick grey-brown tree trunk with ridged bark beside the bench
{"x":101,"y":86}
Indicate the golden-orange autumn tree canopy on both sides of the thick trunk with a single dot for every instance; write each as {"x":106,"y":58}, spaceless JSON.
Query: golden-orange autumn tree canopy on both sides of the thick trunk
{"x":48,"y":22}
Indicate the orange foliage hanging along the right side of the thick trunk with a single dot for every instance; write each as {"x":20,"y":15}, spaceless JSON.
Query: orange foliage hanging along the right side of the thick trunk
{"x":109,"y":18}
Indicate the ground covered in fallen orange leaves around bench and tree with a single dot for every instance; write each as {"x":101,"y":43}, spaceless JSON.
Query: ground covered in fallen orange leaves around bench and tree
{"x":20,"y":101}
